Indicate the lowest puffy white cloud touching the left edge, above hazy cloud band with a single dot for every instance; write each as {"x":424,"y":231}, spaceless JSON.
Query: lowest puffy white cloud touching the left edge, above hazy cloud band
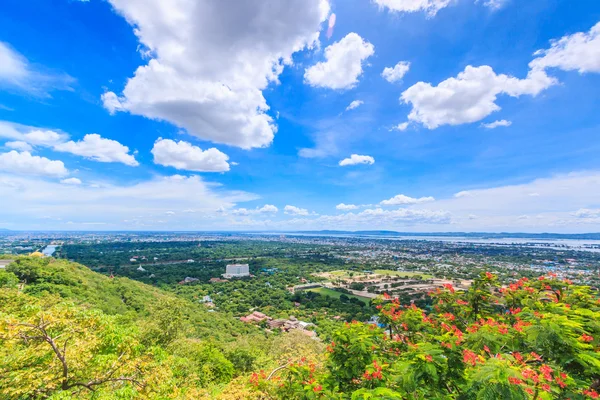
{"x":25,"y":163}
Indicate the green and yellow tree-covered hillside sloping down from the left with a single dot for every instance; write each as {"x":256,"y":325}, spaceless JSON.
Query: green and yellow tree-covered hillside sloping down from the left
{"x":68,"y":332}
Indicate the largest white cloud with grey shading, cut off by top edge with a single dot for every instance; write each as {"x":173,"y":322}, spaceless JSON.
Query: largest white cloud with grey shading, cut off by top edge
{"x":210,"y":63}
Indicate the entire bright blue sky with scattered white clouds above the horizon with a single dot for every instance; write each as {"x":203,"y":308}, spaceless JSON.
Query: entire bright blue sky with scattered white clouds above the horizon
{"x":466,"y":115}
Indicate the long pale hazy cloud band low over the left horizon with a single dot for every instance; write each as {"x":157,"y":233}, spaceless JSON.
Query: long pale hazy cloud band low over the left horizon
{"x":139,"y":206}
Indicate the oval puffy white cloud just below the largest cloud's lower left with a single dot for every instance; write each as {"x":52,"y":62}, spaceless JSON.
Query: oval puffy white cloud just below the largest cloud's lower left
{"x":183,"y":155}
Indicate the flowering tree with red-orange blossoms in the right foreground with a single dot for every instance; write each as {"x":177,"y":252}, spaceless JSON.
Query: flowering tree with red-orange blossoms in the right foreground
{"x":529,"y":340}
